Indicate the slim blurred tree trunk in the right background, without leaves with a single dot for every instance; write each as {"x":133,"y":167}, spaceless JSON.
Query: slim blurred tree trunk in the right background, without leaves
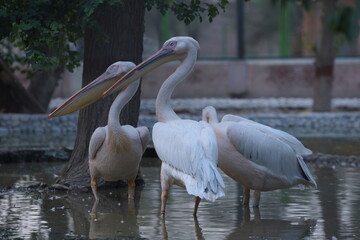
{"x":324,"y":60}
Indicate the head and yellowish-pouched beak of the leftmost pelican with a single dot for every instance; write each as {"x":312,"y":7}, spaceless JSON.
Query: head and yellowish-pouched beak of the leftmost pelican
{"x":93,"y":91}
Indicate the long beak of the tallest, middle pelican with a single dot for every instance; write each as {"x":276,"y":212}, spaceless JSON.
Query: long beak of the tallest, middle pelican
{"x":163,"y":56}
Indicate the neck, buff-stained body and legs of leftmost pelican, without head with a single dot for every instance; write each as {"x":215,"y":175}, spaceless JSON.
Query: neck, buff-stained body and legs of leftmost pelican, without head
{"x":115,"y":151}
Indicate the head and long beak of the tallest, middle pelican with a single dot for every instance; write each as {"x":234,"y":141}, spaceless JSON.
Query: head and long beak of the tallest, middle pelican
{"x":174,"y":49}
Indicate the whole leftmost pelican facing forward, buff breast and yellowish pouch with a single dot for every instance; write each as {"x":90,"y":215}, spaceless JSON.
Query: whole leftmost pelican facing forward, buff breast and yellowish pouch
{"x":115,"y":151}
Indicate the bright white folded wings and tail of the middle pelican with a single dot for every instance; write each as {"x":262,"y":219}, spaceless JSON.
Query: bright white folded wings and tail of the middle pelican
{"x":190,"y":147}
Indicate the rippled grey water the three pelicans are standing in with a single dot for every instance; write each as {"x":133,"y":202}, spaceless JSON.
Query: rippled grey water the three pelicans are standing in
{"x":332,"y":210}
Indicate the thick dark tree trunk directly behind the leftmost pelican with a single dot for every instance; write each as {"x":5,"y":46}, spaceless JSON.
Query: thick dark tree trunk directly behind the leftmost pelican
{"x":123,"y":25}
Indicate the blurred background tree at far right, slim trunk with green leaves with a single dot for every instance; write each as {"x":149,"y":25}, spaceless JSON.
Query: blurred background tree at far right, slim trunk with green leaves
{"x":339,"y":19}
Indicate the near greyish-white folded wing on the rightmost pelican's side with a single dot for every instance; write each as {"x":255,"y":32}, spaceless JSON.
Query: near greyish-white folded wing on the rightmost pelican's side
{"x":266,"y":150}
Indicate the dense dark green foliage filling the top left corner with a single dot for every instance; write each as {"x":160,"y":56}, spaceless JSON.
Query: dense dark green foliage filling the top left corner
{"x":42,"y":33}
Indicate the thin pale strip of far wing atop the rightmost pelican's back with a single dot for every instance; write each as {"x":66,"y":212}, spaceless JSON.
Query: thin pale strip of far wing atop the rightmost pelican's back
{"x":281,"y":135}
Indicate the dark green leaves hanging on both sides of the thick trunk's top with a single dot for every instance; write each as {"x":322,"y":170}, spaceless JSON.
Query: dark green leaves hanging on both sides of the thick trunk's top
{"x":41,"y":34}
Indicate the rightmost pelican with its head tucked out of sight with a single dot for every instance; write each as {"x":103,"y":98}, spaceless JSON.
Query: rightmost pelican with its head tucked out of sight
{"x":259,"y":157}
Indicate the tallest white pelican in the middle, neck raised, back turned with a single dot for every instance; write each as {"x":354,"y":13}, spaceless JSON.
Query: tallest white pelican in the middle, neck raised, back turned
{"x":187,"y":148}
